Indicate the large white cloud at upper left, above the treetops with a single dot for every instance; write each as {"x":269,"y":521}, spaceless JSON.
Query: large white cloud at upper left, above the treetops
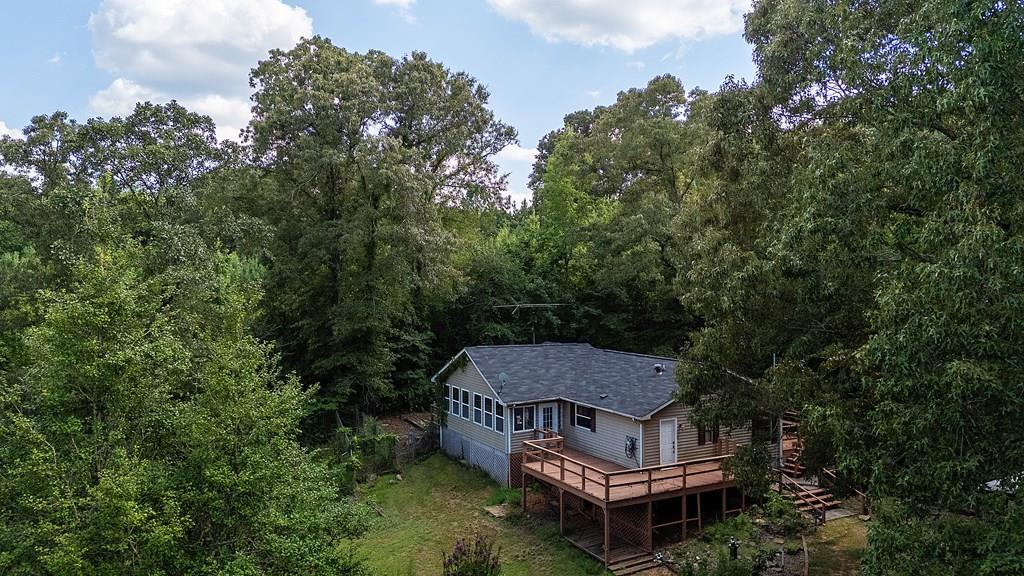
{"x":197,"y":52}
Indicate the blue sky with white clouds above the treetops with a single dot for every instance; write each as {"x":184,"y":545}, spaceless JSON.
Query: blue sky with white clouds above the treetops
{"x":541,"y":60}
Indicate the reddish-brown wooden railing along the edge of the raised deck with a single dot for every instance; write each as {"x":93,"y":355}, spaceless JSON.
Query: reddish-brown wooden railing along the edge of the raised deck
{"x":553,"y":464}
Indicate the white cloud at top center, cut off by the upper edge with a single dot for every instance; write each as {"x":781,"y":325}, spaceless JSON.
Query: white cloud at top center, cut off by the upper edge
{"x":626,"y":26}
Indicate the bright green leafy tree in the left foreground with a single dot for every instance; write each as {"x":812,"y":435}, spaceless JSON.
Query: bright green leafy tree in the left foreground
{"x":149,"y":433}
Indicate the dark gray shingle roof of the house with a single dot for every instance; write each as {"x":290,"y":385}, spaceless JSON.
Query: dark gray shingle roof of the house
{"x":579,"y":374}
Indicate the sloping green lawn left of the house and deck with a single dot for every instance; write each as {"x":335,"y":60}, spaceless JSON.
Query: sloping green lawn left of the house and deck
{"x":440,"y":502}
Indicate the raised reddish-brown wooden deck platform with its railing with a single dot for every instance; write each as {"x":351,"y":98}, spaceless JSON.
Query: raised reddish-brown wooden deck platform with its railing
{"x":605,"y":482}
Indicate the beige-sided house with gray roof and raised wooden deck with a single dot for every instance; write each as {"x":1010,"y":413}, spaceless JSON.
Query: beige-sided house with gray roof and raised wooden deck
{"x":601,"y":428}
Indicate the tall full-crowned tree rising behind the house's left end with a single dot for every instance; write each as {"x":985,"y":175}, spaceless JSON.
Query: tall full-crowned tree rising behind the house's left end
{"x":364,"y":153}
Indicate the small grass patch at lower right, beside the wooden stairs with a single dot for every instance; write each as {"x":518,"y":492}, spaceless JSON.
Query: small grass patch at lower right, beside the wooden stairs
{"x":836,"y":549}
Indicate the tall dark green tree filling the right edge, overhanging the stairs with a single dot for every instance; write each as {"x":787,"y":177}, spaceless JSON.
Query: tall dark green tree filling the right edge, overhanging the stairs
{"x":885,"y":268}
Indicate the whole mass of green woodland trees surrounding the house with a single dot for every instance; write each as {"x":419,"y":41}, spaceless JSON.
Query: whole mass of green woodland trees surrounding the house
{"x":183,"y":322}
